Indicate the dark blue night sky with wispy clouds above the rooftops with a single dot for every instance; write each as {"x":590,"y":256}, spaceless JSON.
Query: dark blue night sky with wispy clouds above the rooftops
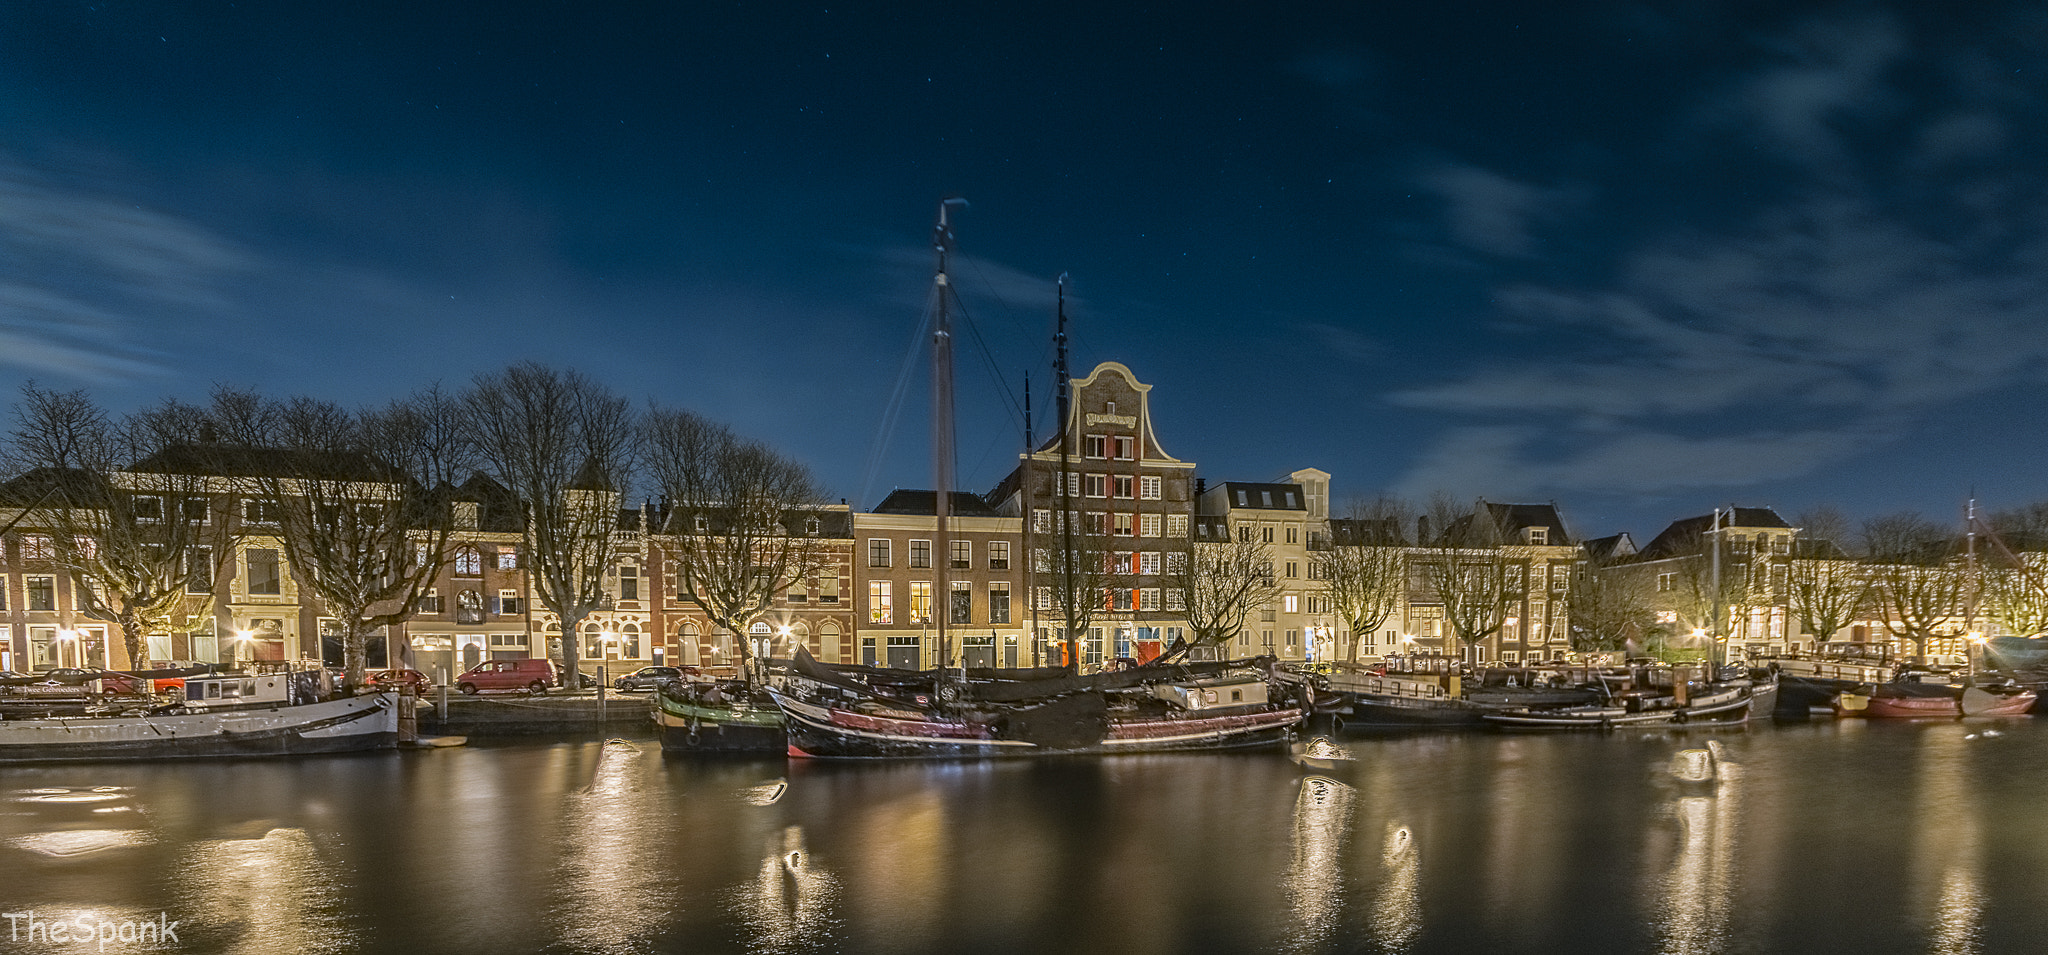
{"x":1637,"y":259}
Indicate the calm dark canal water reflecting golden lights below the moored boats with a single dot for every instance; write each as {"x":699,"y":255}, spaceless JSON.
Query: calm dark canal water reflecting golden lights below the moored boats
{"x":1818,"y":839}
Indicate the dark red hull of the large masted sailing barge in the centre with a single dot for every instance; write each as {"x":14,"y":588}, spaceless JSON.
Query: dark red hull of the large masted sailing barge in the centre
{"x":830,"y":733}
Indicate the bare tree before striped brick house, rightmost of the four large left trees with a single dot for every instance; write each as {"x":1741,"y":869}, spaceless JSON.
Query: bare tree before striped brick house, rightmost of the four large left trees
{"x":742,"y":526}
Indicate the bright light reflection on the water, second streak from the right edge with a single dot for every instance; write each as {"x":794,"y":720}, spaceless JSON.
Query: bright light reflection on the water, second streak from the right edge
{"x":1699,"y":892}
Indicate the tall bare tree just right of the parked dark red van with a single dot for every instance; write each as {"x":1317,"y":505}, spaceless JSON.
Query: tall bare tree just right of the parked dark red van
{"x":564,"y":446}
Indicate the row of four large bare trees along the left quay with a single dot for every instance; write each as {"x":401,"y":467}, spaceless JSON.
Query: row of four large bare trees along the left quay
{"x":361,"y":499}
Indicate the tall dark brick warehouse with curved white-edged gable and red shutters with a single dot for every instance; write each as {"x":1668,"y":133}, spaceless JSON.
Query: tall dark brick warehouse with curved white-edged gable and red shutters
{"x":1109,"y":479}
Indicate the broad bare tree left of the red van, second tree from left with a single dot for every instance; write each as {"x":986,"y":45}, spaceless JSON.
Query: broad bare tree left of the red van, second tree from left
{"x":357,"y":499}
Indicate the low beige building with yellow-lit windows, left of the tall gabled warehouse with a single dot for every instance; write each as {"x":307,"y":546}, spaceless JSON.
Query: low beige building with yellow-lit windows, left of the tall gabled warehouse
{"x":978,"y":585}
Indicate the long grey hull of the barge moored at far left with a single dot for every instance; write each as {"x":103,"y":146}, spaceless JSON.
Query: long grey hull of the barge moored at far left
{"x":349,"y":724}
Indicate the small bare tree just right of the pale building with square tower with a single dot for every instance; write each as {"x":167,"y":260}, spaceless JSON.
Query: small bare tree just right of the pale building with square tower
{"x":1367,"y":567}
